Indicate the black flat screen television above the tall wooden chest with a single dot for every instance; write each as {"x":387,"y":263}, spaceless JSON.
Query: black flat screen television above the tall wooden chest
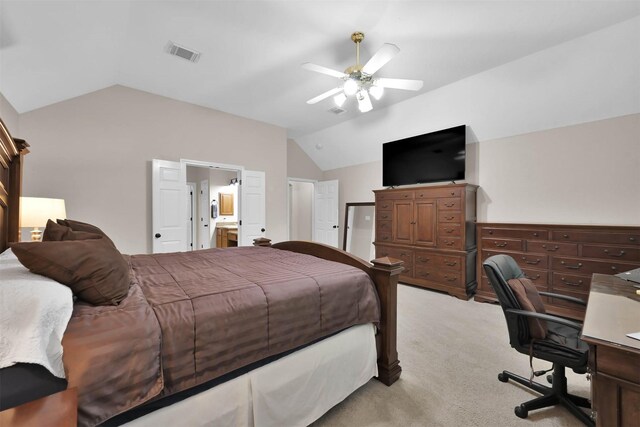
{"x":432,"y":157}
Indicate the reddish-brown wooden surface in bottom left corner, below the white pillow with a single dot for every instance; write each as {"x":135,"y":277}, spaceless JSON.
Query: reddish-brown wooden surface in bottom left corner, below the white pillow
{"x":55,"y":410}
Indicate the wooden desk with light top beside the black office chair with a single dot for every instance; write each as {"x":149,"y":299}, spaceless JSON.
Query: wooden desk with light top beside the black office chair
{"x":614,"y":359}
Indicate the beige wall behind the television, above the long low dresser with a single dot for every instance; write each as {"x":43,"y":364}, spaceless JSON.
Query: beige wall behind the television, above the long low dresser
{"x":581,"y":174}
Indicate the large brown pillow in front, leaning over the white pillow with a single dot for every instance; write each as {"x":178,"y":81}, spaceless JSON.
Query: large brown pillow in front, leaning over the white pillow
{"x":94,"y":270}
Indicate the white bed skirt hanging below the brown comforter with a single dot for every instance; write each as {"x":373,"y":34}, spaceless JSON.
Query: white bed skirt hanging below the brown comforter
{"x":293,"y":391}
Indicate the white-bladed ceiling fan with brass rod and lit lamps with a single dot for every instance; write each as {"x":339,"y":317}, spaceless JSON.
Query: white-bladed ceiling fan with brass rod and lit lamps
{"x":358,"y":79}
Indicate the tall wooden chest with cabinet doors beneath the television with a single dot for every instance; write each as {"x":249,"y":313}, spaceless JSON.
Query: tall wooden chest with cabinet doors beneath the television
{"x":431,"y":229}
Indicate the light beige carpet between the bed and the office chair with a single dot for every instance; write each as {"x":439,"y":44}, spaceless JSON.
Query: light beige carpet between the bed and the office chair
{"x":451,"y":352}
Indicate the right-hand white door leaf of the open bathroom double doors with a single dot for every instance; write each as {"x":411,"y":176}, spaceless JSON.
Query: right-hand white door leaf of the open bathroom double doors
{"x":252,"y":219}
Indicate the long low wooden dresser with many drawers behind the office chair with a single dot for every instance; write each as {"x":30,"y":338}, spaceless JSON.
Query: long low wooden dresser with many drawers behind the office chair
{"x":559,"y":258}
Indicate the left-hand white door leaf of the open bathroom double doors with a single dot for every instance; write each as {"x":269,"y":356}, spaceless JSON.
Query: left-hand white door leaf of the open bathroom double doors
{"x":169,"y":207}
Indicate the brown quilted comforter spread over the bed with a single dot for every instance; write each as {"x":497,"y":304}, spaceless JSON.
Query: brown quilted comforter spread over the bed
{"x":222,"y":309}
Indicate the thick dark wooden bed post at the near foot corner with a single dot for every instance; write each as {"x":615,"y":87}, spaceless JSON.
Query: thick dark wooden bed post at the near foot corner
{"x":386,"y":272}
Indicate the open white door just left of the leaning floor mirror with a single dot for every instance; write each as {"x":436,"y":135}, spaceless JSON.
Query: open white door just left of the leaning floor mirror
{"x":325,"y":228}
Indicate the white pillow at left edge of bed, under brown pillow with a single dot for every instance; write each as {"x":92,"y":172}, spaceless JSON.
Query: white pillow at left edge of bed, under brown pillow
{"x":34,"y":313}
